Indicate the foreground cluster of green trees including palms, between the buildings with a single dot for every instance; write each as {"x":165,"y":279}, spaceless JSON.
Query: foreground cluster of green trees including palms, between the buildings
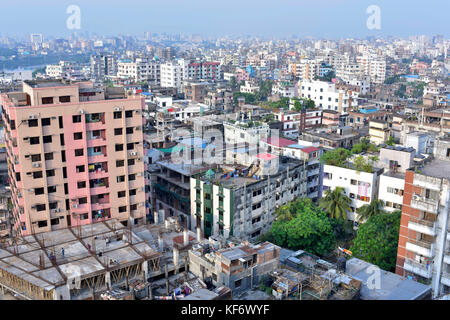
{"x":303,"y":225}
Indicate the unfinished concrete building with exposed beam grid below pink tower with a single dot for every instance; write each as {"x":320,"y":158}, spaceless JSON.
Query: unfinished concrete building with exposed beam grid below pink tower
{"x":81,"y":262}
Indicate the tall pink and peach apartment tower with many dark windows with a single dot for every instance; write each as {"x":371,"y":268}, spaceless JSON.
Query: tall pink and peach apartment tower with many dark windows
{"x":75,"y":155}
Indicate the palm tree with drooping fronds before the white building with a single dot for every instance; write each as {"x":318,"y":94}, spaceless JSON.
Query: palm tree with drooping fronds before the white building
{"x":336,"y":203}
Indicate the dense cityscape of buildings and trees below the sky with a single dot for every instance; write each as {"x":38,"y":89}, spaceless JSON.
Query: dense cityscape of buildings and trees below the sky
{"x":175,"y":166}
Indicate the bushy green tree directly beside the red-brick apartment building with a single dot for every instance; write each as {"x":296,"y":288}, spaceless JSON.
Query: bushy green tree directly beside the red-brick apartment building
{"x":377,"y":239}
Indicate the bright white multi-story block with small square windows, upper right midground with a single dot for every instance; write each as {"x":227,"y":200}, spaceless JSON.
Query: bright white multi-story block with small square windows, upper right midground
{"x":327,"y":97}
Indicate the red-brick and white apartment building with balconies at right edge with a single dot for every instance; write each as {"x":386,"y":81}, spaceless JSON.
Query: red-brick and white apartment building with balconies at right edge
{"x":424,"y":241}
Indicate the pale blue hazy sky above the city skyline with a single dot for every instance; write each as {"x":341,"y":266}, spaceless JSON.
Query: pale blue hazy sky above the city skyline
{"x":317,"y":18}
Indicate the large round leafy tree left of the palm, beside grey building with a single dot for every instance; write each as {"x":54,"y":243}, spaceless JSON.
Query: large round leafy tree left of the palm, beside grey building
{"x":309,"y":229}
